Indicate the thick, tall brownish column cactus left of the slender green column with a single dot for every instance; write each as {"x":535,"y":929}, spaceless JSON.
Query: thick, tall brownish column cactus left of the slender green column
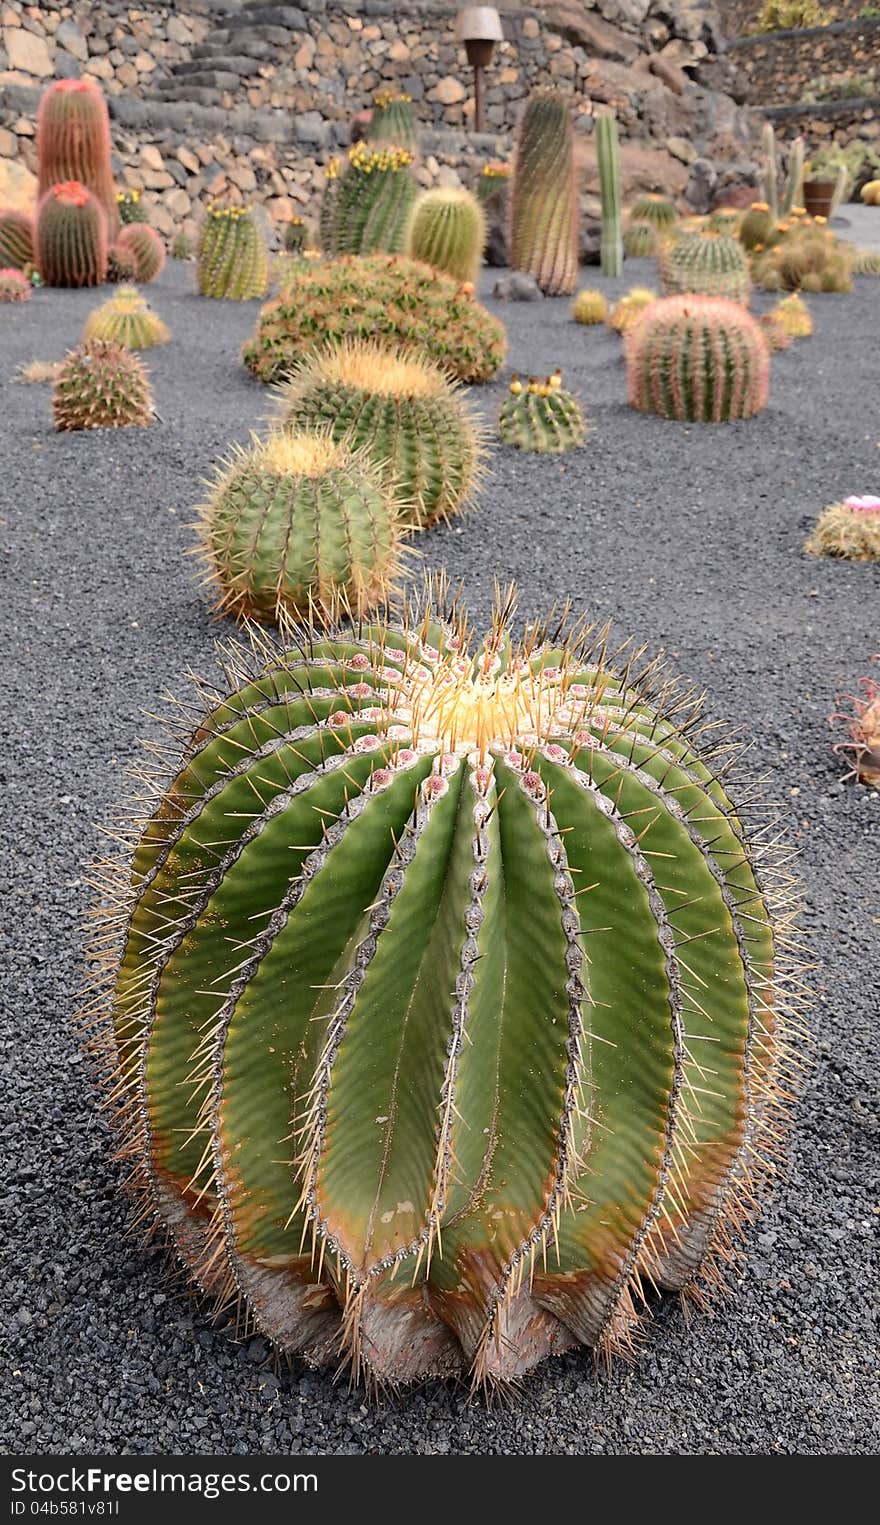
{"x":544,"y":196}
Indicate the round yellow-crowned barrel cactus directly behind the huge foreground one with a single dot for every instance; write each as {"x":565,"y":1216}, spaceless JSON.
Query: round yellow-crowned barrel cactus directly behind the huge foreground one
{"x":300,"y":524}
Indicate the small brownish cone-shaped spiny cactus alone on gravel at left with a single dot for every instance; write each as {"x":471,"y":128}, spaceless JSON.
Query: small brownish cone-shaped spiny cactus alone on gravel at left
{"x":101,"y":387}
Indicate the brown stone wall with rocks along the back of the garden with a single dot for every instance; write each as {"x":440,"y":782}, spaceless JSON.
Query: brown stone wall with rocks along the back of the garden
{"x":248,"y":100}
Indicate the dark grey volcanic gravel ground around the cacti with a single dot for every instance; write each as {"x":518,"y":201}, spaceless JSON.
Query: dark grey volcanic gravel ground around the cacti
{"x":690,"y":538}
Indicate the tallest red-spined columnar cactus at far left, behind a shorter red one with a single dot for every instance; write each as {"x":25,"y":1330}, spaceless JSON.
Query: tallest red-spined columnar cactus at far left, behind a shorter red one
{"x":74,"y":143}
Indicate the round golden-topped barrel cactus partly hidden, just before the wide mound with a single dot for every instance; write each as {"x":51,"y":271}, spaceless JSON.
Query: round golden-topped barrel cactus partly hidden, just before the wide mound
{"x":405,"y":411}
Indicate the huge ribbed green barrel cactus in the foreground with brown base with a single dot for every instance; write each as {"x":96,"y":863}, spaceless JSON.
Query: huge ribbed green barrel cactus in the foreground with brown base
{"x":449,"y":998}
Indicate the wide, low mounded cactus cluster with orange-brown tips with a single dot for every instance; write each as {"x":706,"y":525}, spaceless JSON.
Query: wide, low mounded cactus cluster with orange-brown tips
{"x":391,"y":300}
